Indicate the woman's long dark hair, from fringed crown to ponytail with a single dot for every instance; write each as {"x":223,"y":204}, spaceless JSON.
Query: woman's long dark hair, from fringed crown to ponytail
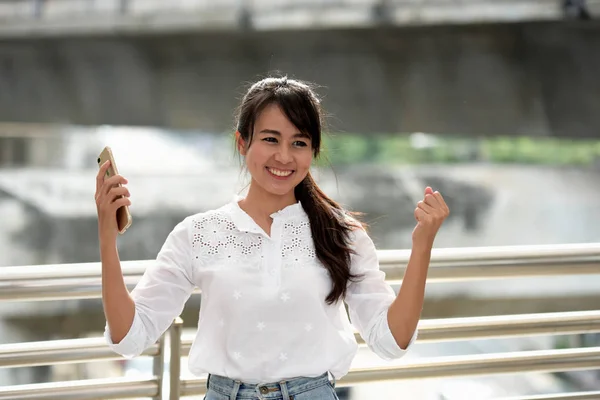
{"x":330,"y":224}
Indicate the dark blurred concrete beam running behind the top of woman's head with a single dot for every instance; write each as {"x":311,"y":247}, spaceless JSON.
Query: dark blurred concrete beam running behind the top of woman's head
{"x":533,"y":79}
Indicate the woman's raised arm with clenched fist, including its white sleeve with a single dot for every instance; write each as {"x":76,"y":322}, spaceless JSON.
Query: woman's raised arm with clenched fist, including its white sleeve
{"x":387,"y":322}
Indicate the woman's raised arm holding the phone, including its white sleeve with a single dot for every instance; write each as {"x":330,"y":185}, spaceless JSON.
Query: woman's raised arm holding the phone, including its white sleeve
{"x":135,"y":321}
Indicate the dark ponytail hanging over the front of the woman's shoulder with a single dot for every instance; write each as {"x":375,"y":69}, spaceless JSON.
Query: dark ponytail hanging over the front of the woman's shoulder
{"x":330,"y":227}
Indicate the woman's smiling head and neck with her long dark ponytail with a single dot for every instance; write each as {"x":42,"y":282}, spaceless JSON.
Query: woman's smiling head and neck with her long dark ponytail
{"x":279,"y":134}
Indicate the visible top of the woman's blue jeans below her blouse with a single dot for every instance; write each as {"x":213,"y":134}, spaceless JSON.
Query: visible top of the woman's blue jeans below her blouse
{"x":319,"y":388}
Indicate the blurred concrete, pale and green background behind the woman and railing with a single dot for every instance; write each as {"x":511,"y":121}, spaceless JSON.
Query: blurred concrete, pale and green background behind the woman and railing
{"x":496,"y":103}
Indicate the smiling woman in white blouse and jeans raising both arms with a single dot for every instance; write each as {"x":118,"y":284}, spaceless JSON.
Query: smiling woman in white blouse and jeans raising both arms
{"x":275,"y":268}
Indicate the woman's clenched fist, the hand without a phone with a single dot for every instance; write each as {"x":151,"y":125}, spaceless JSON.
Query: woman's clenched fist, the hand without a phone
{"x":430,"y":214}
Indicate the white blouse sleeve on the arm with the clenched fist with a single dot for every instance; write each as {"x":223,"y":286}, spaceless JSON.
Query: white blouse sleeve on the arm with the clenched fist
{"x":369,"y":299}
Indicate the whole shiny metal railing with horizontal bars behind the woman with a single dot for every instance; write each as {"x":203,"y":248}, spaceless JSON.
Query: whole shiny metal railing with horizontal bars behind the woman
{"x":79,"y":281}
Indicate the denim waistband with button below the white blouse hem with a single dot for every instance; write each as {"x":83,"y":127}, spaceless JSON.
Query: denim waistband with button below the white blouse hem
{"x":236,"y":389}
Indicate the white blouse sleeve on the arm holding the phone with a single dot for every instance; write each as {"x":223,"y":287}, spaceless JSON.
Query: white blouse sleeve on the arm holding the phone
{"x":160,"y":294}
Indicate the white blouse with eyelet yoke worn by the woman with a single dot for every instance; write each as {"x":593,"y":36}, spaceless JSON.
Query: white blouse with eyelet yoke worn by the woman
{"x":263,"y":315}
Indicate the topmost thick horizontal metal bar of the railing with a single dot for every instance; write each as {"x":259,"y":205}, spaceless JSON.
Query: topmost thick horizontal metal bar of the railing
{"x":83,"y":281}
